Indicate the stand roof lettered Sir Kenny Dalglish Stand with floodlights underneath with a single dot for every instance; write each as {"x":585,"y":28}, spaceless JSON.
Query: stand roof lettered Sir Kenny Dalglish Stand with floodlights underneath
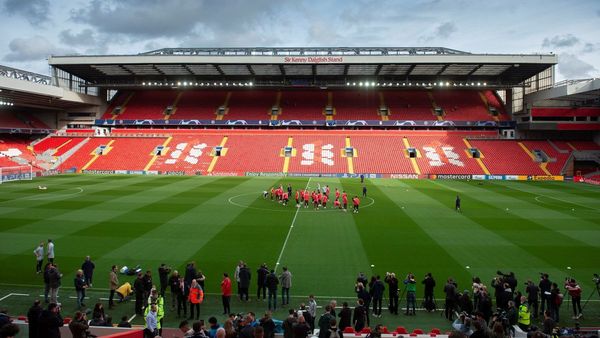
{"x":325,"y":66}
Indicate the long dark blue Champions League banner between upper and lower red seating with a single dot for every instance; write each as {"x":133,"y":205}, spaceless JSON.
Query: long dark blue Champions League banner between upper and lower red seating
{"x":307,"y":123}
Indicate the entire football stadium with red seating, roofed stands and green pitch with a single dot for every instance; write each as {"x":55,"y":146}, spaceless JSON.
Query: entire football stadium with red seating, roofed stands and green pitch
{"x":355,"y":175}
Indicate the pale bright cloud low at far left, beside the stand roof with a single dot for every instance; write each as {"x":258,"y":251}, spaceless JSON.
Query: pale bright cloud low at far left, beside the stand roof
{"x":35,"y":48}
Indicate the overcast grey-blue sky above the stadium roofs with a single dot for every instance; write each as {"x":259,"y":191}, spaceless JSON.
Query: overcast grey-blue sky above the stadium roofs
{"x":33,"y":29}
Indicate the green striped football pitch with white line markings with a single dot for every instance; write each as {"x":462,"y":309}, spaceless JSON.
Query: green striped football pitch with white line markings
{"x":403,"y":226}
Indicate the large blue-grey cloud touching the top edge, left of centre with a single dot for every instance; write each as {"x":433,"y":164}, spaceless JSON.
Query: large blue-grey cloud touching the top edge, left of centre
{"x":147,"y":19}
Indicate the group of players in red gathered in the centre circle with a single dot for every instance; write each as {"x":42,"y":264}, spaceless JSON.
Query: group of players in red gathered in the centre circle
{"x":319,"y":197}
